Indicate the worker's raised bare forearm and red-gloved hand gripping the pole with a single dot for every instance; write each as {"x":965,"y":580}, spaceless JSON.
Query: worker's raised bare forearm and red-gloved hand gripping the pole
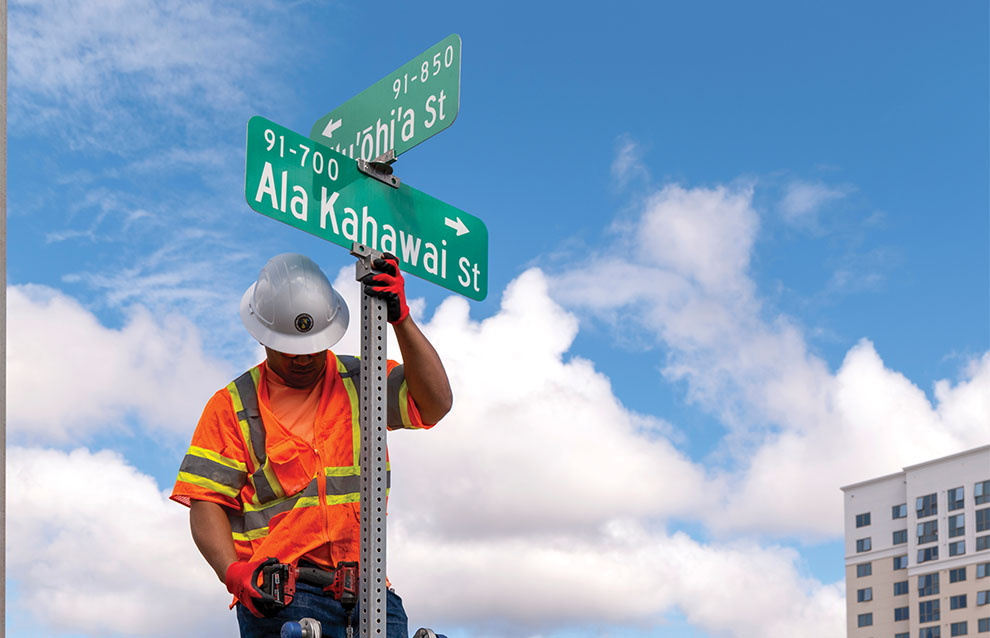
{"x":424,"y":373}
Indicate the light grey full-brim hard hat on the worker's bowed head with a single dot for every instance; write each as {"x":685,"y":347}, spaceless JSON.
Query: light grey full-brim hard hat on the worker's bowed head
{"x":292,"y":308}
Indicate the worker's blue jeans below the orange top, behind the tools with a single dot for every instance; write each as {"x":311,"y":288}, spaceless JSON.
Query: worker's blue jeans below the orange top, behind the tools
{"x":311,"y":602}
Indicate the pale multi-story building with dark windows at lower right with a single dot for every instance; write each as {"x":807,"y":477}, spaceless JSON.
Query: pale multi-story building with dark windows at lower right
{"x":918,"y":550}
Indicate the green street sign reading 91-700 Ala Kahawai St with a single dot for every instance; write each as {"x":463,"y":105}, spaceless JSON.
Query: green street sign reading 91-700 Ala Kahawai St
{"x":311,"y":187}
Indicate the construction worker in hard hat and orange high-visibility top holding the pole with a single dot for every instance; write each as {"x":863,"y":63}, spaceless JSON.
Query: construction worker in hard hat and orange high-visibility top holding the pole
{"x":272,"y":475}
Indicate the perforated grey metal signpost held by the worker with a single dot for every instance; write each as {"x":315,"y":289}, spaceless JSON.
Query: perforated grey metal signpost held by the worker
{"x":374,"y":373}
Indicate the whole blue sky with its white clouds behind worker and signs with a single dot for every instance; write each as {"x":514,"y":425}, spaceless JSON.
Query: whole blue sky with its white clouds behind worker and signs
{"x":738,"y":258}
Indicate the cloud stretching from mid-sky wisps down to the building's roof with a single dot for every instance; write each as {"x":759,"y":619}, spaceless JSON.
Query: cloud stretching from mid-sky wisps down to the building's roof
{"x":797,"y":430}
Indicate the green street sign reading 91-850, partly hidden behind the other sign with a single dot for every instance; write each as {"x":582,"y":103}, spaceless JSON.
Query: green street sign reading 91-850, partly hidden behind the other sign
{"x":411,"y":104}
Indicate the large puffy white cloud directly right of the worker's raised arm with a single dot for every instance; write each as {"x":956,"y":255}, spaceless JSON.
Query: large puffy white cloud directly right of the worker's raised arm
{"x":533,"y":434}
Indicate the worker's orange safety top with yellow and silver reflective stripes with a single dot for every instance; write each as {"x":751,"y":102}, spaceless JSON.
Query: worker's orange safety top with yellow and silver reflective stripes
{"x":284,"y":496}
